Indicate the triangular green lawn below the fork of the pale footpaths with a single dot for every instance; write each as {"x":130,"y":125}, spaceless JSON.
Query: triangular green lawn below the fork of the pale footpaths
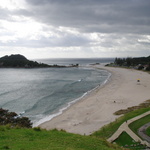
{"x":126,"y":141}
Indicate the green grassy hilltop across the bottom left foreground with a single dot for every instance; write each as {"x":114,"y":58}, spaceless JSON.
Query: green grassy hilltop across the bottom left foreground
{"x":37,"y":139}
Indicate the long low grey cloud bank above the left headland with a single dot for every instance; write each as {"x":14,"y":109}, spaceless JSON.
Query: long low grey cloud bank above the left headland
{"x":63,"y":41}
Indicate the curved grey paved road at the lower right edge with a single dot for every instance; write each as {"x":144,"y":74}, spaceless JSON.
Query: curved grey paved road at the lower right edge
{"x":142,"y":133}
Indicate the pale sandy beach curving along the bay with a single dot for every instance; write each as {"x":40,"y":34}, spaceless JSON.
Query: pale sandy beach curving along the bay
{"x":96,"y":109}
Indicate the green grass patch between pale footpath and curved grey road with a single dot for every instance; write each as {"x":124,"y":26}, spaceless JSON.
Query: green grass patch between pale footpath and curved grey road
{"x":139,"y":123}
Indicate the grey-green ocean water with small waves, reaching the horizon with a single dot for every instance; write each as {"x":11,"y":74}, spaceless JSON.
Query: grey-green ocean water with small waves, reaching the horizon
{"x":40,"y":94}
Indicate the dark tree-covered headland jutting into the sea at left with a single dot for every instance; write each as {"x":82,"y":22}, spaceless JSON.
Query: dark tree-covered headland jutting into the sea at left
{"x":20,"y":61}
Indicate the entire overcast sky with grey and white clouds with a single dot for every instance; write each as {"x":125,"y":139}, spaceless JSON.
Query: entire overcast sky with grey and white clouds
{"x":75,"y":28}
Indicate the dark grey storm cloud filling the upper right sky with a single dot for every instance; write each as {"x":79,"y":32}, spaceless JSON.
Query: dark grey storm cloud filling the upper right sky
{"x":105,"y":16}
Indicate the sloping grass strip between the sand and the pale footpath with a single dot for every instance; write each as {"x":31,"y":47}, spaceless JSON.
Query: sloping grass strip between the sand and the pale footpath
{"x":108,"y":130}
